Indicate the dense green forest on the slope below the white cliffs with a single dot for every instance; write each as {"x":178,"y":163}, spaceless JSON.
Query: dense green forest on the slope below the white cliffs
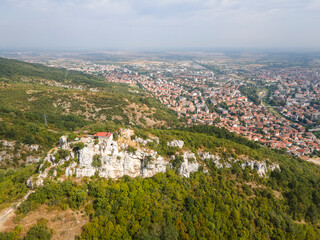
{"x":217,"y":205}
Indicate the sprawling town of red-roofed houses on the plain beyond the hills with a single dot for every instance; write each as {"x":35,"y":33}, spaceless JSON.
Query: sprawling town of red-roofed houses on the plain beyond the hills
{"x":278,"y":107}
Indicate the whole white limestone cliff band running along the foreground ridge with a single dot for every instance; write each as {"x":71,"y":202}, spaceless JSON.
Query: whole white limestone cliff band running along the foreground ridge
{"x":112,"y":159}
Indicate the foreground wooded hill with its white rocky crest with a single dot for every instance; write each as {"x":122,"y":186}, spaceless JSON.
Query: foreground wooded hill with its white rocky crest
{"x":140,"y":183}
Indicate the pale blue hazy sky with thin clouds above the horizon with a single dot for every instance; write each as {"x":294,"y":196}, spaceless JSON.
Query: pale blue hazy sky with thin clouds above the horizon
{"x":159,"y":24}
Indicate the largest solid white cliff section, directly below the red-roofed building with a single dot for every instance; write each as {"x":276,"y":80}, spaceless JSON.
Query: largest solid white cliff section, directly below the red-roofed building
{"x":116,"y":163}
